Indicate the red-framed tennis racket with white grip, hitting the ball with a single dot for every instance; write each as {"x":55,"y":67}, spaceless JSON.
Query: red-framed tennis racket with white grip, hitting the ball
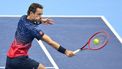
{"x":103,"y":37}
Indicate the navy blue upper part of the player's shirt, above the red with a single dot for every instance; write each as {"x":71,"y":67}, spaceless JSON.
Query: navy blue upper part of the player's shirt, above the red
{"x":27,"y":30}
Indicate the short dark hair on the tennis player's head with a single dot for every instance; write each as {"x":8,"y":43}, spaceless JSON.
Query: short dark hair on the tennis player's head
{"x":33,"y":7}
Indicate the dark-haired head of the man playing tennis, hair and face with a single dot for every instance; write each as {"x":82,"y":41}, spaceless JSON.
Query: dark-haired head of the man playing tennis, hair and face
{"x":35,"y":11}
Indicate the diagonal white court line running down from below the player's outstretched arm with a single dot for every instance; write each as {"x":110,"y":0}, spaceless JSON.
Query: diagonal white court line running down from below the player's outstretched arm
{"x":48,"y":54}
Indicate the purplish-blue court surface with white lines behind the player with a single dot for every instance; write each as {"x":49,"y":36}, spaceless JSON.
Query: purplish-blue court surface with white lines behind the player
{"x":71,"y":32}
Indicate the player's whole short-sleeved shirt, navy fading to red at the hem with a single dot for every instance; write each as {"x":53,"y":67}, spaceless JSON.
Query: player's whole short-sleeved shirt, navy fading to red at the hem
{"x":25,"y":33}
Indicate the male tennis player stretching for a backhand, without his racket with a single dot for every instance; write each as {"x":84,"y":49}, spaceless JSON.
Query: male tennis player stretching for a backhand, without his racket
{"x":17,"y":56}
